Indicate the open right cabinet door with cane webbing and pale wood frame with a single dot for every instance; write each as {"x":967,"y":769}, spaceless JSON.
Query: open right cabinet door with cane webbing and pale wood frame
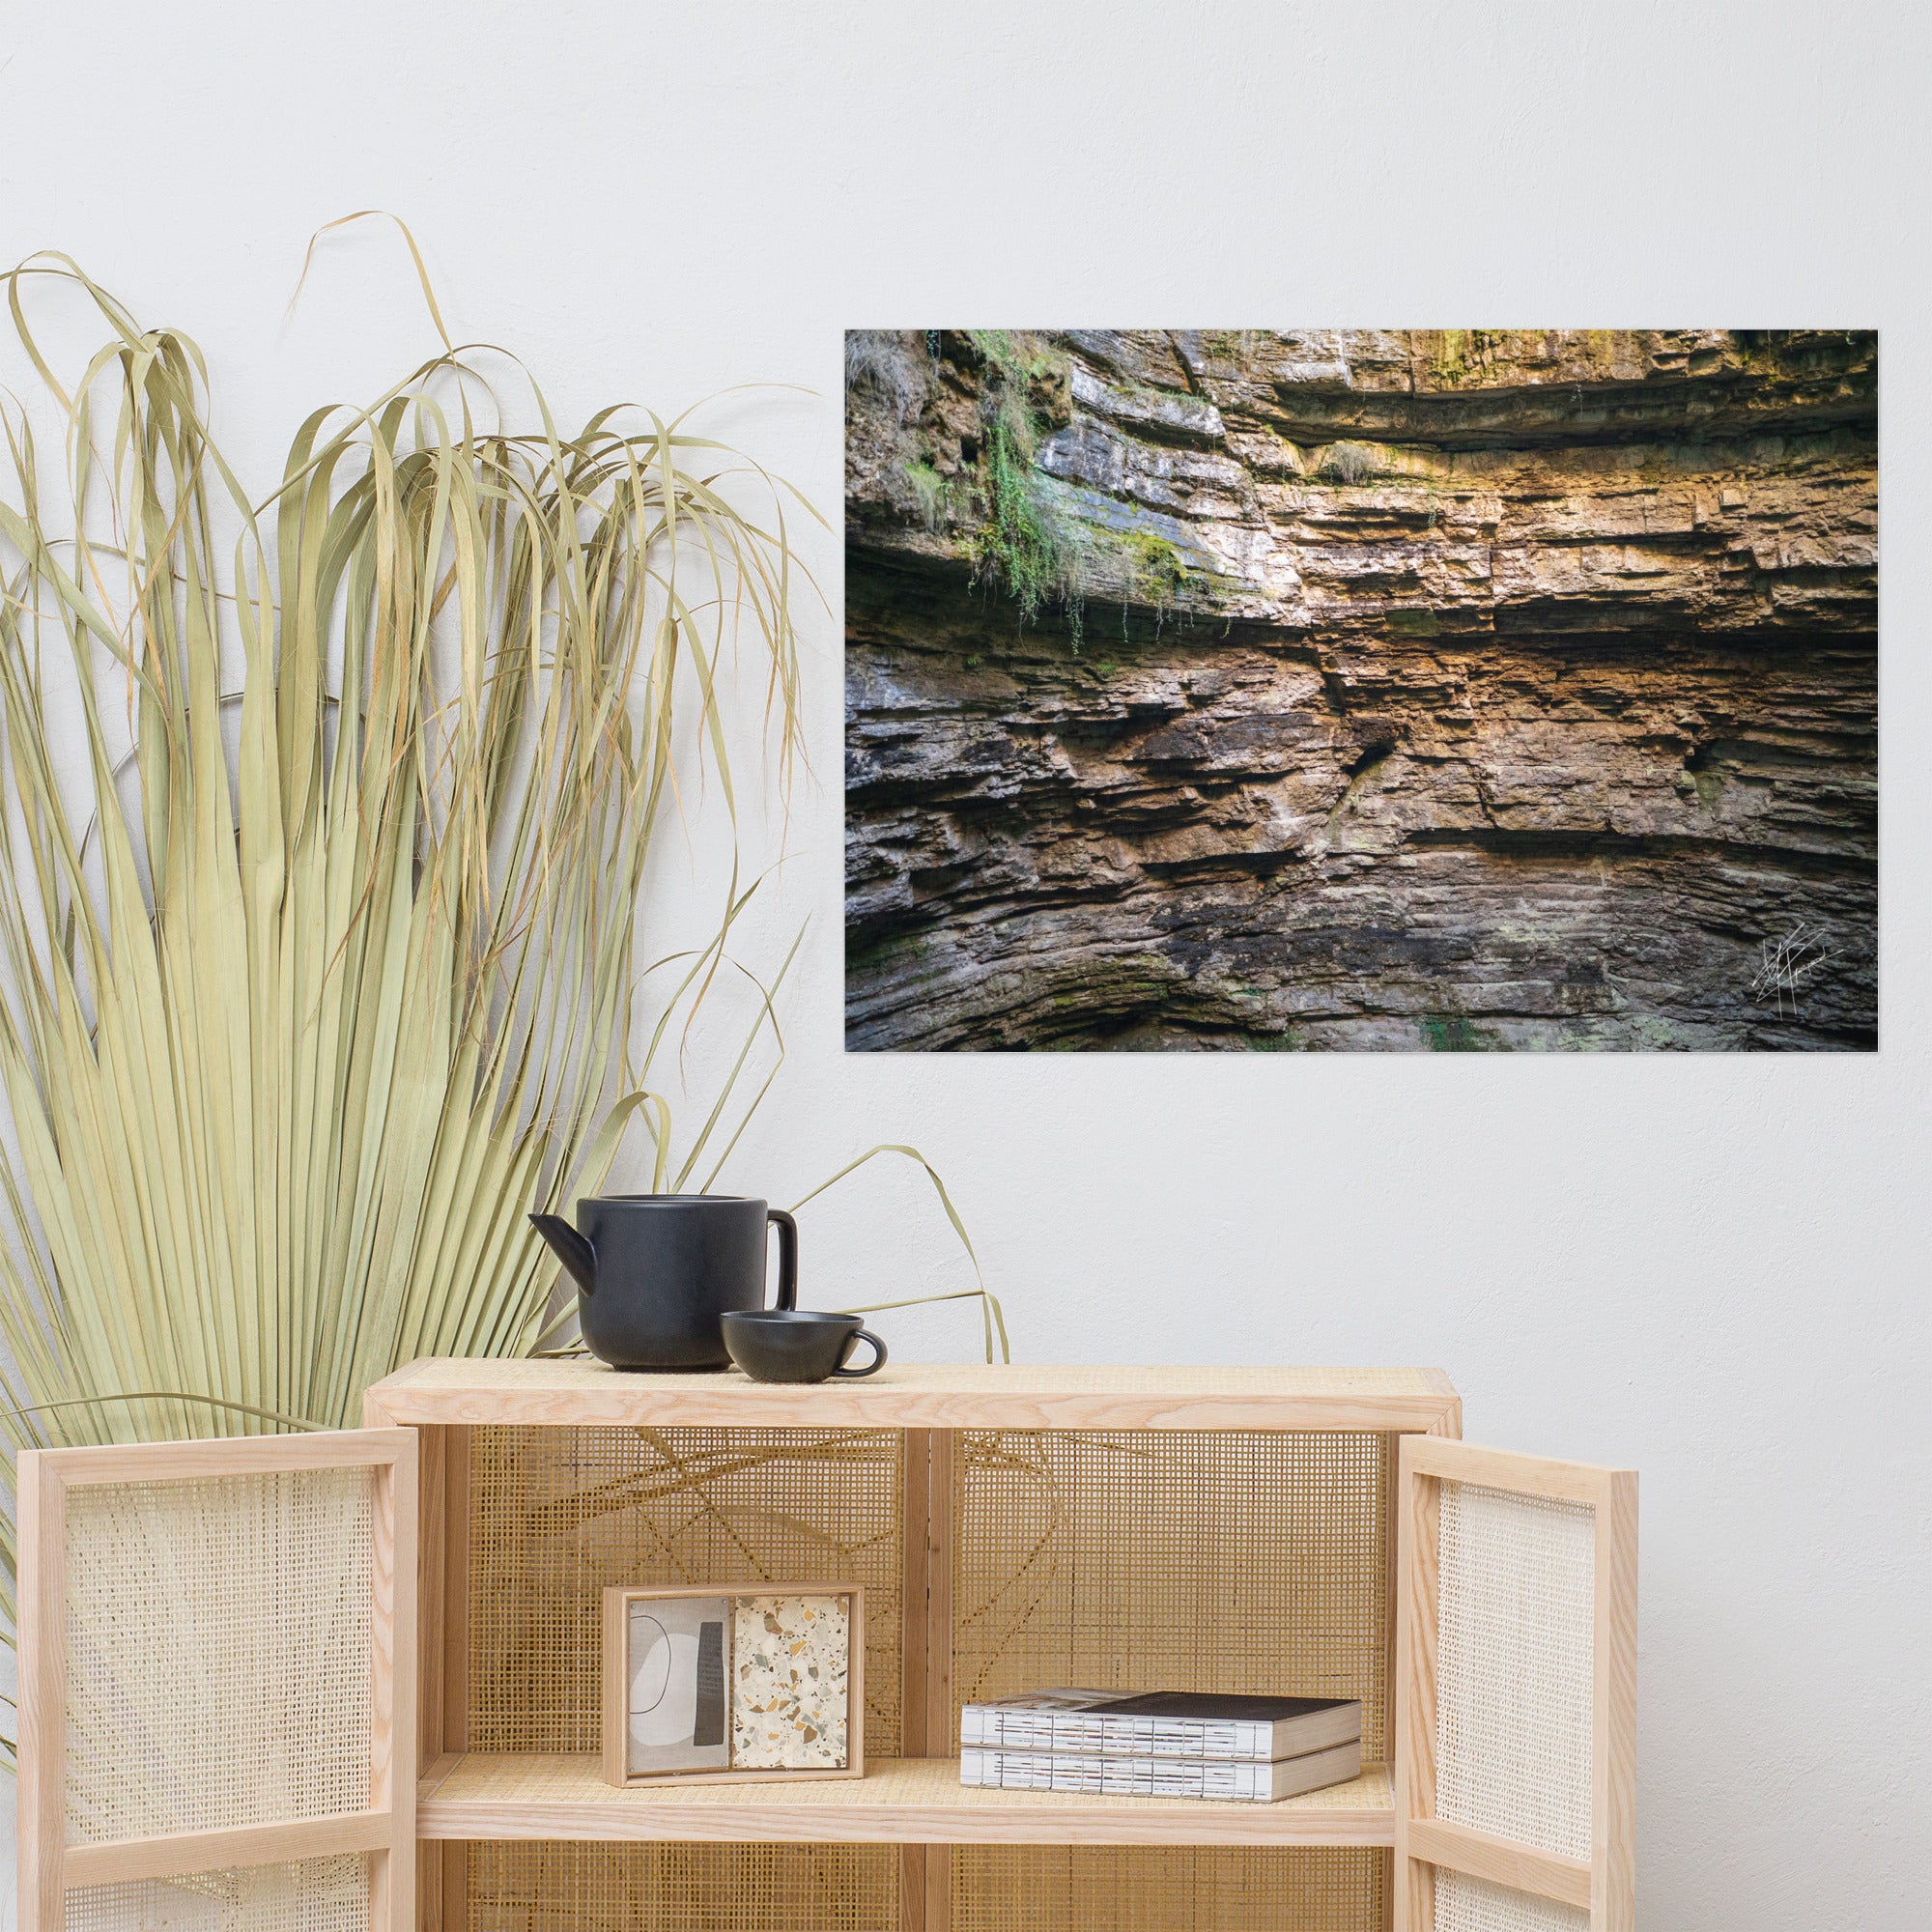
{"x":1516,"y":1746}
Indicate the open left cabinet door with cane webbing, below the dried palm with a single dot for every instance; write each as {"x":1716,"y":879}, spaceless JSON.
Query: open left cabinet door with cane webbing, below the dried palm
{"x":217,"y":1686}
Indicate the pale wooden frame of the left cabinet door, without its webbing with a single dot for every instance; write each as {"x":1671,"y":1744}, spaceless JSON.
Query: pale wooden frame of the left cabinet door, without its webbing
{"x":53,"y":1863}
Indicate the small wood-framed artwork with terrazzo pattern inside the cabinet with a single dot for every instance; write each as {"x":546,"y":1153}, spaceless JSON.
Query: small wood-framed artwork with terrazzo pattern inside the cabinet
{"x":735,"y":1684}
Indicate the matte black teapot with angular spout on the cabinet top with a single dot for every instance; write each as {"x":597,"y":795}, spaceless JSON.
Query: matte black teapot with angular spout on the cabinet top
{"x":658,"y":1272}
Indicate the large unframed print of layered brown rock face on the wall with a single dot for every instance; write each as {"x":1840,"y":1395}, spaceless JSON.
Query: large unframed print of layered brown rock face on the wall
{"x":1355,"y":689}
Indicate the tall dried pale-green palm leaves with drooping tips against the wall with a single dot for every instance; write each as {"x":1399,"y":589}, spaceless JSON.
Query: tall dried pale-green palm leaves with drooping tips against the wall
{"x":320,"y":973}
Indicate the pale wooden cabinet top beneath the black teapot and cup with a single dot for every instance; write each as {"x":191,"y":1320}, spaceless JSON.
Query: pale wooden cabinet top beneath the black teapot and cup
{"x":921,"y":1396}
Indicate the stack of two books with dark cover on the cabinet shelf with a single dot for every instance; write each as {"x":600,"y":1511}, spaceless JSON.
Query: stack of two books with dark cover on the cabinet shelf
{"x":1164,"y":1744}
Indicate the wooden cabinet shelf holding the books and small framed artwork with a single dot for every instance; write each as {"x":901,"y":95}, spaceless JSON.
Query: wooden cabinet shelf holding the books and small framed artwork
{"x":899,"y":1802}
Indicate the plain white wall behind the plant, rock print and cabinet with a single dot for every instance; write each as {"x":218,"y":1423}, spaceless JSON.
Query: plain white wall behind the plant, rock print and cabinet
{"x":1711,"y":1268}
